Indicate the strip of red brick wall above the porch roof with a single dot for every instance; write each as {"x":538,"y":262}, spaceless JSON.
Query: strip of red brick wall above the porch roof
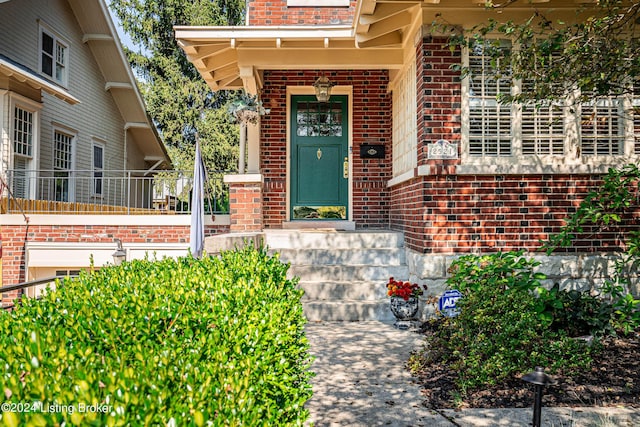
{"x":276,"y":12}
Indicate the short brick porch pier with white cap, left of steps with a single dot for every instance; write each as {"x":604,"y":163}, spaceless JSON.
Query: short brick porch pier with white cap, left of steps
{"x":245,"y":202}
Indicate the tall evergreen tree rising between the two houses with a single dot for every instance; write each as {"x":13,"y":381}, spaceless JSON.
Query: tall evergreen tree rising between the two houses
{"x":177,"y":98}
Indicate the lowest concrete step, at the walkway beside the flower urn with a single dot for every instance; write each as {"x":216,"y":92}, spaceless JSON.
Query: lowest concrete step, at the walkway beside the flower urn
{"x":349,"y":311}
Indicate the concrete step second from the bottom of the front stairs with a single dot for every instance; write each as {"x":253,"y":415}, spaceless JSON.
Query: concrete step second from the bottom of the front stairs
{"x":337,"y":291}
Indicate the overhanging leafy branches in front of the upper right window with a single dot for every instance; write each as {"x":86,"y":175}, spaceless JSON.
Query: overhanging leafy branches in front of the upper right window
{"x":597,"y":52}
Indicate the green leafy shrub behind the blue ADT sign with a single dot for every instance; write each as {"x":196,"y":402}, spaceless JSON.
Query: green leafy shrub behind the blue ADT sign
{"x":498,"y":333}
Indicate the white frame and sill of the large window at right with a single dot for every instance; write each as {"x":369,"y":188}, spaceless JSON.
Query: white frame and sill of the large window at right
{"x":570,"y":161}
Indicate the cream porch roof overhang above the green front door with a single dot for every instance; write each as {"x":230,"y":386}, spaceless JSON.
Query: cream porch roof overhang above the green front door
{"x":235,"y":57}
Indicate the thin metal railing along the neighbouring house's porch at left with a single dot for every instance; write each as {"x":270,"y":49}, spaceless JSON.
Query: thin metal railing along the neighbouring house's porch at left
{"x":108,"y":192}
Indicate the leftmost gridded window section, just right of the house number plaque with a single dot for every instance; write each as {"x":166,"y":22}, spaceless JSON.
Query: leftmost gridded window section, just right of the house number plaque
{"x":490,"y":122}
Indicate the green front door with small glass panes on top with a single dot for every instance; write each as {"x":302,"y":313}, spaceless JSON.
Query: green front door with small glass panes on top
{"x":319,"y":158}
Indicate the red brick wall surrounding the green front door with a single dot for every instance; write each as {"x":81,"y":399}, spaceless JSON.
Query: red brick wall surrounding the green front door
{"x":371,"y":124}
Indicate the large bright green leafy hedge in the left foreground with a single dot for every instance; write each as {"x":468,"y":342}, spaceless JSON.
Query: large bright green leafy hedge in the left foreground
{"x":216,"y":341}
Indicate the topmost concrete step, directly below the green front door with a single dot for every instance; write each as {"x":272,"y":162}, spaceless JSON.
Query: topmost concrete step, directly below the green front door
{"x":323,"y":239}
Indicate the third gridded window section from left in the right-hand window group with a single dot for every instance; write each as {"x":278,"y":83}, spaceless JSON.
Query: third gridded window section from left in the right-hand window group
{"x":602,"y":127}
